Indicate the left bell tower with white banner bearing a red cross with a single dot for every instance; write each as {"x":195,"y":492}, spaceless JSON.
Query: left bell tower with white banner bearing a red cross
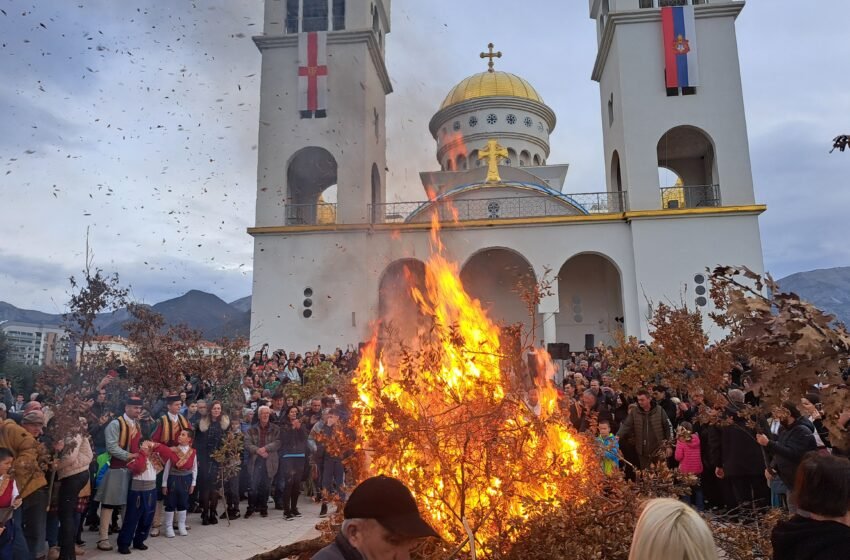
{"x":322,"y":143}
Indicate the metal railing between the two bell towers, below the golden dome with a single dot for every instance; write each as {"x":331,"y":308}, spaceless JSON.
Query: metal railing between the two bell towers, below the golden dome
{"x":499,"y":207}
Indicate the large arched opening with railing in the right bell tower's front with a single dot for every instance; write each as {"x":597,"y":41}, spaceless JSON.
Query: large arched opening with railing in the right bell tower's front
{"x":686,"y":155}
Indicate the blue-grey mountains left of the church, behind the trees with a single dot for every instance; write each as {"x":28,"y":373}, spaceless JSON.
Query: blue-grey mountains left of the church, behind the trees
{"x":201,"y":311}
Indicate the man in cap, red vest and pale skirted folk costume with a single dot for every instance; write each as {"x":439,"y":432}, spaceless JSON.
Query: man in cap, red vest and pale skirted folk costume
{"x":123,"y":438}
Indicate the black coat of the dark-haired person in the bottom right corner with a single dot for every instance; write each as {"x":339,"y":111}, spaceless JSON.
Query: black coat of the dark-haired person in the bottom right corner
{"x":801,"y":538}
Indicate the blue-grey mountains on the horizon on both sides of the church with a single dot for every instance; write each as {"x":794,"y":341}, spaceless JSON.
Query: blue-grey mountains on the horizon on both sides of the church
{"x":828,"y":289}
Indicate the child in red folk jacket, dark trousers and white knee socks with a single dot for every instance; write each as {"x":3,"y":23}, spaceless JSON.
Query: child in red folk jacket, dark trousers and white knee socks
{"x":178,"y":480}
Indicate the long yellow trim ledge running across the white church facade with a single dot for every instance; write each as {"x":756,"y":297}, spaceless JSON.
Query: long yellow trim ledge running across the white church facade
{"x":541,"y":220}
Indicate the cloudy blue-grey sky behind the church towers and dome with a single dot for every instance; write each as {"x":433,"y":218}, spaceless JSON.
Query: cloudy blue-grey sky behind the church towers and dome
{"x":138,"y":120}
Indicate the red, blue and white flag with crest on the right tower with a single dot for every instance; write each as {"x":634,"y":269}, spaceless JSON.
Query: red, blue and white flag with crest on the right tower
{"x":680,"y":46}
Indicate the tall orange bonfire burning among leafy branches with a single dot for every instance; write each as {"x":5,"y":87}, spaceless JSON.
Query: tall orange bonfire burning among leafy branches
{"x":447,"y":415}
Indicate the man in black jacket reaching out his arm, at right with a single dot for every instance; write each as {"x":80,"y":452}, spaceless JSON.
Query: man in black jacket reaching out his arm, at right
{"x":793,"y":442}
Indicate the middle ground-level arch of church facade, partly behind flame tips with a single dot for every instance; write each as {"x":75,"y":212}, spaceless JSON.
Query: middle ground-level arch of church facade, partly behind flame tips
{"x":499,"y":278}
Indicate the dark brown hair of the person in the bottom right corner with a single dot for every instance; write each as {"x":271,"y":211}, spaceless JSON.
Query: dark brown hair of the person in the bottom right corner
{"x":822,"y":485}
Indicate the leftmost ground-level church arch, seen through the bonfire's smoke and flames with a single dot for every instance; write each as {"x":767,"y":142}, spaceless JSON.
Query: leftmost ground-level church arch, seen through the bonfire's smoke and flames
{"x":398,"y":312}
